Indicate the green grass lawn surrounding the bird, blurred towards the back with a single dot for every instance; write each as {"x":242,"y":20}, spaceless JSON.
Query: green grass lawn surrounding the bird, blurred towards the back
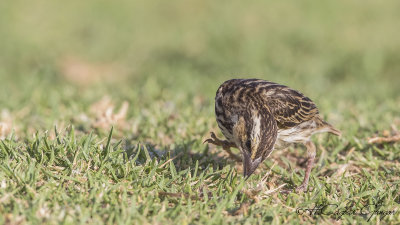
{"x":105,"y":105}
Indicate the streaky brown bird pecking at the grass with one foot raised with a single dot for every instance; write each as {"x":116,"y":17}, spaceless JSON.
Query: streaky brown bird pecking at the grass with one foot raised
{"x":258,"y":116}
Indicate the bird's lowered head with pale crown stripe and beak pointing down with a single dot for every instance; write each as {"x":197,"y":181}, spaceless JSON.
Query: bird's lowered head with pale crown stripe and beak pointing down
{"x":254,"y":141}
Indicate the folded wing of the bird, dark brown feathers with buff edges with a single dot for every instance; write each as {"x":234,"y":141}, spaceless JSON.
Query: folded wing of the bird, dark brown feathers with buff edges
{"x":290,"y":107}
